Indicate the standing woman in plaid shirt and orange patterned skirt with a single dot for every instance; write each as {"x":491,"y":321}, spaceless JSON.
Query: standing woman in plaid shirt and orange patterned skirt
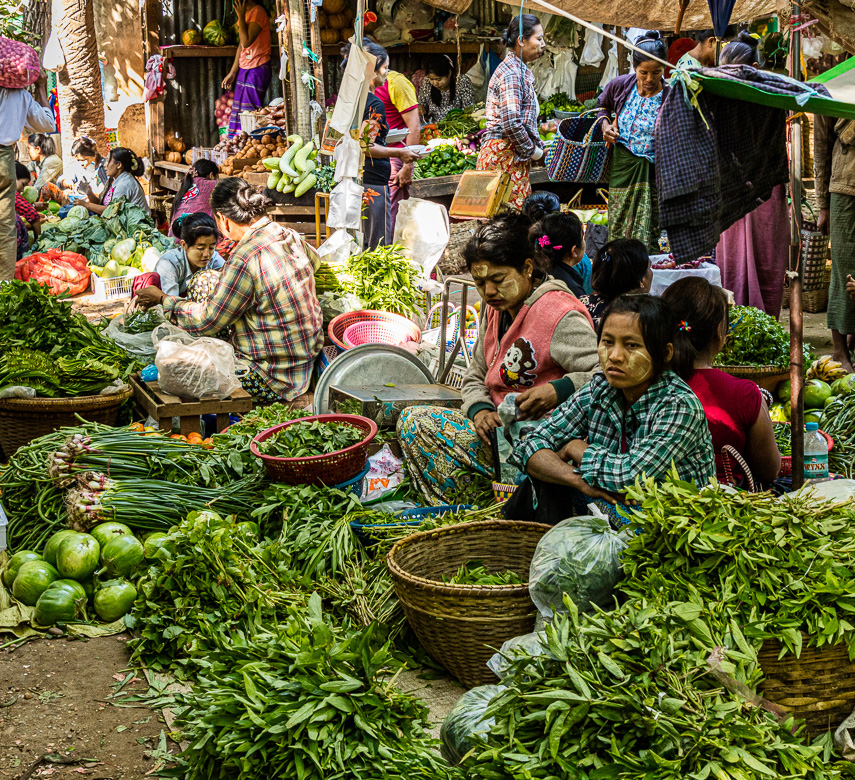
{"x":512,"y":140}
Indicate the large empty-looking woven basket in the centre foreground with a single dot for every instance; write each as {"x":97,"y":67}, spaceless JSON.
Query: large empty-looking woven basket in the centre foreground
{"x":461,"y":626}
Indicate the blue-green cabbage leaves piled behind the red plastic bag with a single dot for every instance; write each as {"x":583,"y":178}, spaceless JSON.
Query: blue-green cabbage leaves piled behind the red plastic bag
{"x":94,"y":236}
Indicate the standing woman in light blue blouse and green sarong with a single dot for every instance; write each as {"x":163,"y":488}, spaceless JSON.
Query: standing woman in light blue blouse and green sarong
{"x":635,"y":100}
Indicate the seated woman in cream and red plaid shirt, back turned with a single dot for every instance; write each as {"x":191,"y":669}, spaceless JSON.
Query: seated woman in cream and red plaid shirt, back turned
{"x":266,"y":291}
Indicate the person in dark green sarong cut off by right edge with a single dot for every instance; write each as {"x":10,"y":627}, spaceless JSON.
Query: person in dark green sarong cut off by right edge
{"x":834,"y":161}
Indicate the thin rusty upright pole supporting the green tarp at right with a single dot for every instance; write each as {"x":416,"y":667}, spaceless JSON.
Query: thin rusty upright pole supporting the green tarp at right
{"x":797,"y":438}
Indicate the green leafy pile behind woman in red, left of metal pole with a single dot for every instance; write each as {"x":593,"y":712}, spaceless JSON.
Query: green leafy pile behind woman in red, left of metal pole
{"x":756,"y":339}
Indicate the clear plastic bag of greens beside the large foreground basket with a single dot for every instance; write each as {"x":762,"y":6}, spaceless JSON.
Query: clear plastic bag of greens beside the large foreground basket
{"x":579,"y":557}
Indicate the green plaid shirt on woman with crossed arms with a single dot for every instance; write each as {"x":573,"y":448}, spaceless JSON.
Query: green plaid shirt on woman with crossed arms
{"x":666,"y":425}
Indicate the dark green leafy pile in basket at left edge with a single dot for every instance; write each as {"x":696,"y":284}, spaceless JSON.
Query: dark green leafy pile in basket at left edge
{"x":61,"y":352}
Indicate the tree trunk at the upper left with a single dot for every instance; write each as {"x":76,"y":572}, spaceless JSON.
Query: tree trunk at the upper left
{"x":81,"y":103}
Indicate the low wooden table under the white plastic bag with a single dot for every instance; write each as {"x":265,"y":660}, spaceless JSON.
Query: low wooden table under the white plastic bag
{"x":163,"y":406}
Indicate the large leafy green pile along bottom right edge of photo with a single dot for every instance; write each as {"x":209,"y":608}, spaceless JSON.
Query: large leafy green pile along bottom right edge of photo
{"x":644,"y":691}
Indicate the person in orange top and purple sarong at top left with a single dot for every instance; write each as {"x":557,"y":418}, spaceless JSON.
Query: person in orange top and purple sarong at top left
{"x":251,"y":71}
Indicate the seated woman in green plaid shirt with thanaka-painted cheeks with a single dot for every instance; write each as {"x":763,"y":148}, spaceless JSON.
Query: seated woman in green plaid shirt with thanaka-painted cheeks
{"x":636,"y":418}
